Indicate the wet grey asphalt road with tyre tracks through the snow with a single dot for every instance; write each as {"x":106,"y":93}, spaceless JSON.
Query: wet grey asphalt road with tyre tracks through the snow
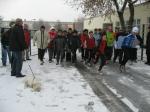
{"x":130,"y":84}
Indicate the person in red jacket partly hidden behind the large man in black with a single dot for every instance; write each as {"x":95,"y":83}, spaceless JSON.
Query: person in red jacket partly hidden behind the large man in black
{"x":27,"y":40}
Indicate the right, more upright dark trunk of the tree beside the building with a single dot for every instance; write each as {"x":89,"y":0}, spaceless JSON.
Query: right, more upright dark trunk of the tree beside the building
{"x":131,"y":18}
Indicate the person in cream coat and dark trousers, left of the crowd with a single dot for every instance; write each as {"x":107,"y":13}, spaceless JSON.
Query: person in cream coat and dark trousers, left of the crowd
{"x":41,"y":38}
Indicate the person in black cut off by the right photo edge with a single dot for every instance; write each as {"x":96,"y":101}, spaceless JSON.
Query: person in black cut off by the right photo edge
{"x":148,"y":47}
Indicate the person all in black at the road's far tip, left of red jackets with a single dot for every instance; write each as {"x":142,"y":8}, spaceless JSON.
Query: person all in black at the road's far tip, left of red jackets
{"x":75,"y":44}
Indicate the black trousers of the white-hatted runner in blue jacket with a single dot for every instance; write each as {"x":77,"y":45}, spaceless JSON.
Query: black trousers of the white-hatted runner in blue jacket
{"x":126,"y":56}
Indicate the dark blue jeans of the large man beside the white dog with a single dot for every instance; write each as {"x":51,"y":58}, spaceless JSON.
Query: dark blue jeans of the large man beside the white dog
{"x":16,"y":63}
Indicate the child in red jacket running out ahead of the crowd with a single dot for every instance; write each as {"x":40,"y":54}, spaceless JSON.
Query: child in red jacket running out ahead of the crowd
{"x":101,"y":51}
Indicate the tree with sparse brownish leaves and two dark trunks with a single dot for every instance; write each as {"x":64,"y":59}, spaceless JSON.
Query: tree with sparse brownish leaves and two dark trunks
{"x":107,"y":8}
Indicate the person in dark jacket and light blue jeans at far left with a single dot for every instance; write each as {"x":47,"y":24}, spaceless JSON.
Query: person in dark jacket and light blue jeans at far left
{"x":5,"y":37}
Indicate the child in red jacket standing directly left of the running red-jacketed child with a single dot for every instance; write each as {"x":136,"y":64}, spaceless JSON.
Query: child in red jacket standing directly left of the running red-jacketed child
{"x":90,"y":46}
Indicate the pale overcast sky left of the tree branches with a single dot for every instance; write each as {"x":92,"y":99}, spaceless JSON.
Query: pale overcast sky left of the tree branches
{"x":49,"y":10}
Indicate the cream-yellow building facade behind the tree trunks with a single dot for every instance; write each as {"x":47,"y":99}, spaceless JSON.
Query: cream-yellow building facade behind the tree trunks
{"x":142,"y":17}
